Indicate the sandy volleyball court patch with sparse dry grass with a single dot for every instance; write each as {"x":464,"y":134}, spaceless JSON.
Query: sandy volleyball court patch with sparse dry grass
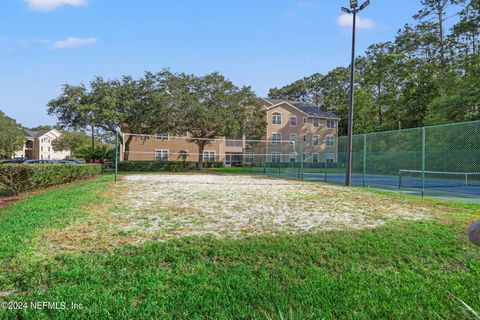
{"x":161,"y":207}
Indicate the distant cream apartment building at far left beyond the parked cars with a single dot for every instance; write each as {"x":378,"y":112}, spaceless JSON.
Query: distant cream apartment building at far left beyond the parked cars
{"x":38,"y":146}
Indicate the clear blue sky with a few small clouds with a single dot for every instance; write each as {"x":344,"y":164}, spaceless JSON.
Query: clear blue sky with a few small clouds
{"x":259,"y":43}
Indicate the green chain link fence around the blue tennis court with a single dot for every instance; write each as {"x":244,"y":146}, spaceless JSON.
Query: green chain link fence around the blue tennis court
{"x":438,"y":161}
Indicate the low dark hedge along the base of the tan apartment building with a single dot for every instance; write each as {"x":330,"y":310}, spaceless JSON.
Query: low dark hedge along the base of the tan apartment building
{"x":157,"y":166}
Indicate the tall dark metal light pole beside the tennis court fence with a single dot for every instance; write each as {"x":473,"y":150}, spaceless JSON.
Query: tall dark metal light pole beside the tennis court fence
{"x":354,"y":10}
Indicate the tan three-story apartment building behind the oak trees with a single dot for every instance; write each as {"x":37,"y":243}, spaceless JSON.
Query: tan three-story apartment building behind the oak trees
{"x":294,"y":129}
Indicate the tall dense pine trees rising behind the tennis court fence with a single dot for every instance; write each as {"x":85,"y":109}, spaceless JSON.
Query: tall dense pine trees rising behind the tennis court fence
{"x":427,"y":75}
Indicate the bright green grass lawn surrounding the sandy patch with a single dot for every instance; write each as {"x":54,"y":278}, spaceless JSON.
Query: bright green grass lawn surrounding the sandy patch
{"x":402,"y":270}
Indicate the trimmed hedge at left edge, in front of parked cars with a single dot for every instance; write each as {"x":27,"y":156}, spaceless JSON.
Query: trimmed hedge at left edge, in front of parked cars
{"x":22,"y":178}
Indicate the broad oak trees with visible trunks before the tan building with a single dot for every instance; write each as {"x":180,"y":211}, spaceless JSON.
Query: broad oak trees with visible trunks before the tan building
{"x":205,"y":106}
